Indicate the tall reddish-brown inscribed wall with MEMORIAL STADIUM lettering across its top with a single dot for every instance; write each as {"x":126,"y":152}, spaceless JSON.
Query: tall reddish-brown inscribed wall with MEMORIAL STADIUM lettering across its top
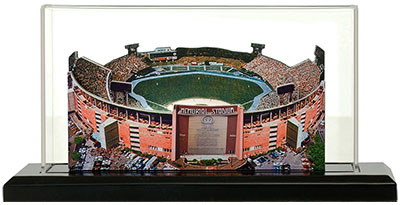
{"x":207,"y":131}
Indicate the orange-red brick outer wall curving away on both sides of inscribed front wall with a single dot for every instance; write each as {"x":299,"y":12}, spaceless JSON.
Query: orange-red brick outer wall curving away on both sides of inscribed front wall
{"x":164,"y":142}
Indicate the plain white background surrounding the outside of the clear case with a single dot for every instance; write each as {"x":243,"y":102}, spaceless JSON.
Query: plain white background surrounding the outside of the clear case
{"x":20,"y":70}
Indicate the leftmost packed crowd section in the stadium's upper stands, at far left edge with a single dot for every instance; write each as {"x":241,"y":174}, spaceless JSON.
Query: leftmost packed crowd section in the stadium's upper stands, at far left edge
{"x":92,"y":77}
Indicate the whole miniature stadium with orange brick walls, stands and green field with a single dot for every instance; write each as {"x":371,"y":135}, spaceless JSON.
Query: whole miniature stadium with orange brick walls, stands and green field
{"x":196,"y":108}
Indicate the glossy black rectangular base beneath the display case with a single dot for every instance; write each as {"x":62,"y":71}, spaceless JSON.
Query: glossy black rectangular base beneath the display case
{"x":373,"y":182}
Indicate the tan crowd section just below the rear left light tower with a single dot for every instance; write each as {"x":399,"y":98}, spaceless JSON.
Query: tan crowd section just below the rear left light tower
{"x":122,"y":68}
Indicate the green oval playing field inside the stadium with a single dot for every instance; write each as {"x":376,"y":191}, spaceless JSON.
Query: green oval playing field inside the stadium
{"x":177,"y":87}
